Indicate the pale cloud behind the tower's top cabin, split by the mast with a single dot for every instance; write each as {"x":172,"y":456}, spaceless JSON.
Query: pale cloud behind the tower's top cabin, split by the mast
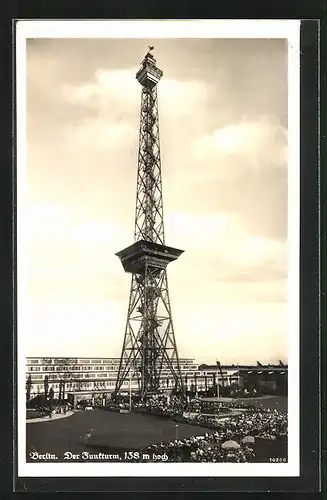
{"x":114,"y":96}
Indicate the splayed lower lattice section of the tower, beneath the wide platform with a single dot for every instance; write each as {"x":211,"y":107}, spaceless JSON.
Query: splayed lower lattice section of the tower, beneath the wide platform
{"x":149,"y":341}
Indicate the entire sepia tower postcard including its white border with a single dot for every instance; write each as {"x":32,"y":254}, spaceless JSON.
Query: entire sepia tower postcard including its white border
{"x":158,"y":248}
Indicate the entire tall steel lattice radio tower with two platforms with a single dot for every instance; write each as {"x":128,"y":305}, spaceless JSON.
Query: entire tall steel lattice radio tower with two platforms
{"x":149,"y":345}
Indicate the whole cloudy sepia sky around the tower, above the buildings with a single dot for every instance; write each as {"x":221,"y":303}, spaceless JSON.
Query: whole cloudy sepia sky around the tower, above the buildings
{"x":223,"y":130}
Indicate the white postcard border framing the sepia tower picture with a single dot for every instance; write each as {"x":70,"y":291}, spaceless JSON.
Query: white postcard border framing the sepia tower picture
{"x":288,"y":29}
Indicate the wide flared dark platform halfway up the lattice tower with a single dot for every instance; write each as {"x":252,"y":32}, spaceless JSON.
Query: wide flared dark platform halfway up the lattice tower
{"x":136,"y":256}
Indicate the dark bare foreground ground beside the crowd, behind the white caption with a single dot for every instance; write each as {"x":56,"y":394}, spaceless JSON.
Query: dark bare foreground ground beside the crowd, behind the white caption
{"x":114,"y":433}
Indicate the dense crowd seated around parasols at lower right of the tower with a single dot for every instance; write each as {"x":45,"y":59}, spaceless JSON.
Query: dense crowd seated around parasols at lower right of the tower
{"x":235,"y":430}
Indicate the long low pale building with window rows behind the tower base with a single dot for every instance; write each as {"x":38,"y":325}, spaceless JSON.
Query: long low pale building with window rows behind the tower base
{"x":91,"y":377}
